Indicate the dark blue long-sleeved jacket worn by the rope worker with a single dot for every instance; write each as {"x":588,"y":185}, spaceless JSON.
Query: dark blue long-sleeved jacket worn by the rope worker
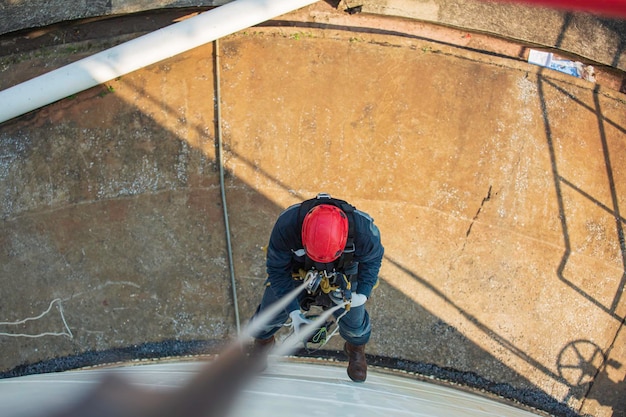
{"x":285,"y":251}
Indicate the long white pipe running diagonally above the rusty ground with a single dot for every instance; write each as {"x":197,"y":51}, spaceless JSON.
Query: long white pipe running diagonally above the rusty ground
{"x":140,"y":52}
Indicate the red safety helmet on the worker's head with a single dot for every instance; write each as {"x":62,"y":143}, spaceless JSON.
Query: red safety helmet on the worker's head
{"x":324,"y":233}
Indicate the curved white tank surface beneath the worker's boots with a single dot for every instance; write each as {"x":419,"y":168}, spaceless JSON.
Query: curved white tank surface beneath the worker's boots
{"x":286,"y":388}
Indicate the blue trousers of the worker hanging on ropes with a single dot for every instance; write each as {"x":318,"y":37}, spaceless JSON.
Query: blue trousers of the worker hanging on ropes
{"x":354,"y":326}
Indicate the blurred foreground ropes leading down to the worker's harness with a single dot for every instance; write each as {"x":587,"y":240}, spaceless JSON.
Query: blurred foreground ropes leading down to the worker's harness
{"x":211,"y":393}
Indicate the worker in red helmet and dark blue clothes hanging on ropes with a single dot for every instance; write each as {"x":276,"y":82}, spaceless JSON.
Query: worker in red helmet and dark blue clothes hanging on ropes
{"x":332,"y":237}
